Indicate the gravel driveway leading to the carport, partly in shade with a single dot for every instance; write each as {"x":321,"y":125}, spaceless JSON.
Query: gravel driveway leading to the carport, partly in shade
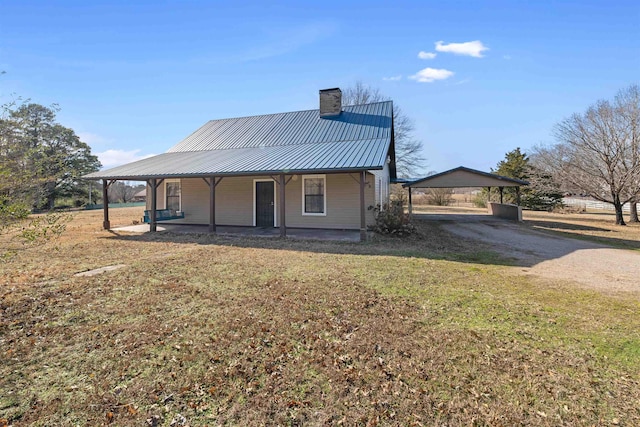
{"x":550,"y":256}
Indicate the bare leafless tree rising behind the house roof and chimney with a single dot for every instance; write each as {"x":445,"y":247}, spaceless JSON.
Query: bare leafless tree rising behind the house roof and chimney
{"x":409,"y":159}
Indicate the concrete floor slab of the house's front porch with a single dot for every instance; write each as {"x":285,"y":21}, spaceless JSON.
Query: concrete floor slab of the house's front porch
{"x":225,"y":230}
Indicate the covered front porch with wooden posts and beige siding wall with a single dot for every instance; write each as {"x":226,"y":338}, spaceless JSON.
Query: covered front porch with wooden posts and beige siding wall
{"x":235,"y":203}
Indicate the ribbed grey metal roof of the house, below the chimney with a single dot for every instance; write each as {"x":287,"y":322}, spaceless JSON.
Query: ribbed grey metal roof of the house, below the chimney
{"x":357,"y":139}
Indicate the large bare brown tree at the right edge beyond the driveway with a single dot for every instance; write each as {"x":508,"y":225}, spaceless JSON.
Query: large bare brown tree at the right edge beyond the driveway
{"x":597,"y":151}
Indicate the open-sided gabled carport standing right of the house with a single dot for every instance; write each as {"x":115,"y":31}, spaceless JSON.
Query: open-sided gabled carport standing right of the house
{"x":461,"y":177}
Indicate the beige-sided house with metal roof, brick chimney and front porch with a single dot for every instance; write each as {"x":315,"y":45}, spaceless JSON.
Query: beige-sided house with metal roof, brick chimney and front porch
{"x":323,"y":168}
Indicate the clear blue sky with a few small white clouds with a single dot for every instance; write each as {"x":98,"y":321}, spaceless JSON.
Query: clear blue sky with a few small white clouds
{"x":134,"y":78}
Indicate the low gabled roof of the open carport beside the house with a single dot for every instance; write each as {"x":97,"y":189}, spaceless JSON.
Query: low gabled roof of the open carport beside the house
{"x":464,"y":177}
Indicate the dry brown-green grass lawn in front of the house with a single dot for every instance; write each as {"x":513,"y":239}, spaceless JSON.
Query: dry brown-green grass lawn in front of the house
{"x":206,"y":330}
